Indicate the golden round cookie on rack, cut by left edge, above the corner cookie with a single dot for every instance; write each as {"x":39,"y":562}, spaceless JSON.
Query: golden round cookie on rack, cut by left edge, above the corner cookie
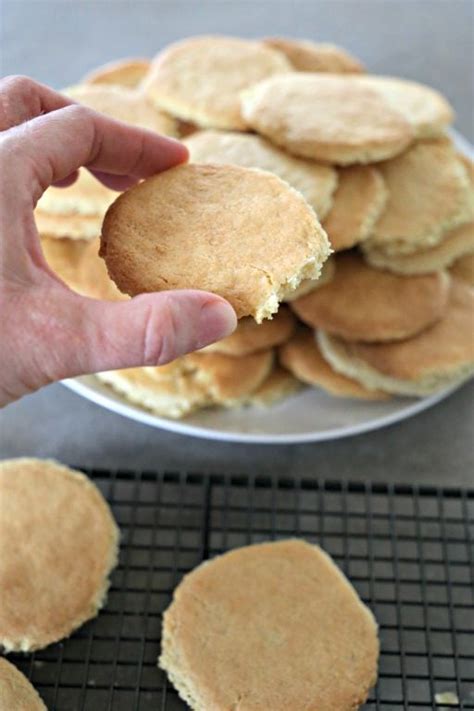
{"x":59,"y":543}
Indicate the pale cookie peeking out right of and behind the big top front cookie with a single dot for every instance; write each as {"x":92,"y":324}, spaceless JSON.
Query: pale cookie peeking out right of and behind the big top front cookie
{"x":425,"y":108}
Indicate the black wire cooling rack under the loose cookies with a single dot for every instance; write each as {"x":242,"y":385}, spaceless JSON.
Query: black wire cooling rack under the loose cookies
{"x":407,"y":550}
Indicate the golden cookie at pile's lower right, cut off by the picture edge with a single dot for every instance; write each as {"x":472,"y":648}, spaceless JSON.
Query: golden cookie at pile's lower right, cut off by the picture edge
{"x":438,"y":357}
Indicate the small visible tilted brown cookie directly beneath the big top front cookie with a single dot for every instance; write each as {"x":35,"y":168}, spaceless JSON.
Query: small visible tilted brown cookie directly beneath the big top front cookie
{"x":358,"y":202}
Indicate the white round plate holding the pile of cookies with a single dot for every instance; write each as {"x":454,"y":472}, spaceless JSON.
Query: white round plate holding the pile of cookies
{"x":309,"y":416}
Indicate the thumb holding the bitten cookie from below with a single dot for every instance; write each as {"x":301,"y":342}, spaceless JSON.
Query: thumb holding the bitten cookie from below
{"x":149,"y":330}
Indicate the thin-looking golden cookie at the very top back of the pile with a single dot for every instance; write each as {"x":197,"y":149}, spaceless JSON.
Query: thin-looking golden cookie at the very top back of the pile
{"x":308,"y":56}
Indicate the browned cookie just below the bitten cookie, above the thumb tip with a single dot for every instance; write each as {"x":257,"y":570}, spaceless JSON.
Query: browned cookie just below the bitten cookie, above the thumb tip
{"x":250,"y":337}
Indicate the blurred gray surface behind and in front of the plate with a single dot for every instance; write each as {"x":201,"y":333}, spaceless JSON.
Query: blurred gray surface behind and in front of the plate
{"x":429,"y":40}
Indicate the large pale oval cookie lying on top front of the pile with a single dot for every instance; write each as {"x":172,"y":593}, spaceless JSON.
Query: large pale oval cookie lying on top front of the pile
{"x":326,"y":117}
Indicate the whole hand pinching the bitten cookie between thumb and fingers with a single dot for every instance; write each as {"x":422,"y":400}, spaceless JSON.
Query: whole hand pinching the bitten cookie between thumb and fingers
{"x":47,"y":331}
